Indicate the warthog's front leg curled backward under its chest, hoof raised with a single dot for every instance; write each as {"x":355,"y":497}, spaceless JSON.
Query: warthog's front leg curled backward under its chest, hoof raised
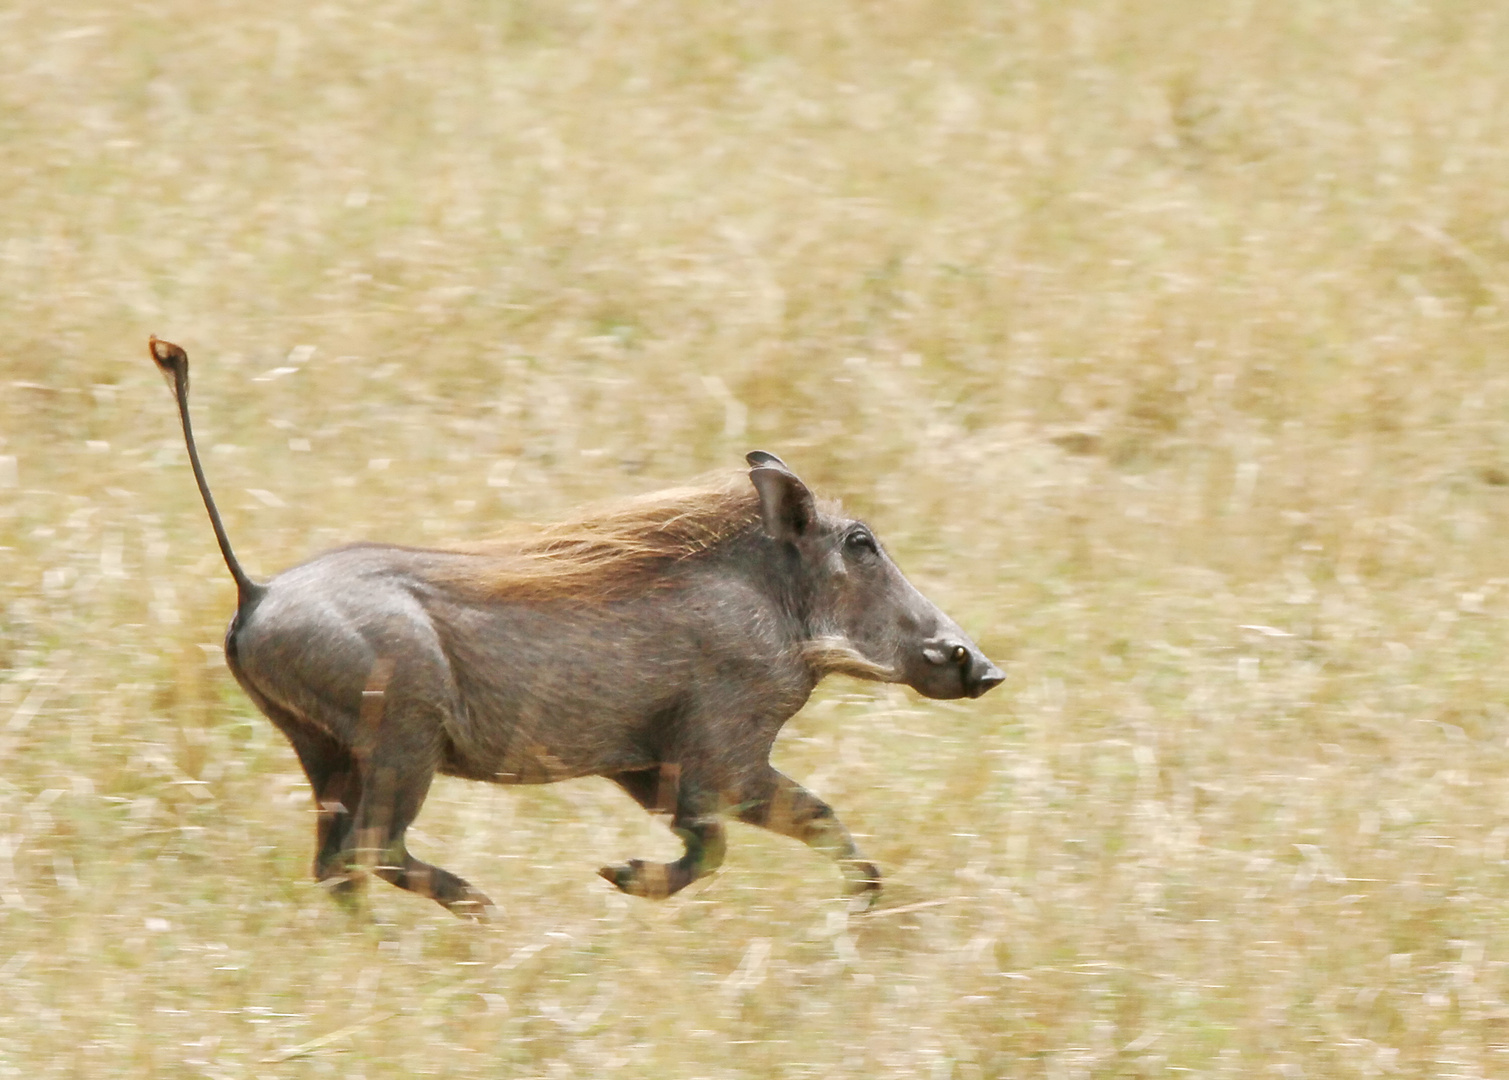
{"x":693,"y":820}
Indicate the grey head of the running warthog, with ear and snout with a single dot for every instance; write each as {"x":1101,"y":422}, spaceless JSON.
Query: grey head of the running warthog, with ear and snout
{"x":864,"y":616}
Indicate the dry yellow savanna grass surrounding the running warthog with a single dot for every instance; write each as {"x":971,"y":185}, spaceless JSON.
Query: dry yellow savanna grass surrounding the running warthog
{"x":1166,"y":345}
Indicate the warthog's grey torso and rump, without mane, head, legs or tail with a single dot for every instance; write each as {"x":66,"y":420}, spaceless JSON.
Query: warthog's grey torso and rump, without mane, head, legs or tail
{"x":524,"y":693}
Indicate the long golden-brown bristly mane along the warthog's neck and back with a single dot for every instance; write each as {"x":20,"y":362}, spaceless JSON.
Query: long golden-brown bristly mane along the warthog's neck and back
{"x":609,"y":551}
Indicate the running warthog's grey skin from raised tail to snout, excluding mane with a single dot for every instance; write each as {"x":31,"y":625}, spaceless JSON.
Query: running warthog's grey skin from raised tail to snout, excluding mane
{"x":381,"y":675}
